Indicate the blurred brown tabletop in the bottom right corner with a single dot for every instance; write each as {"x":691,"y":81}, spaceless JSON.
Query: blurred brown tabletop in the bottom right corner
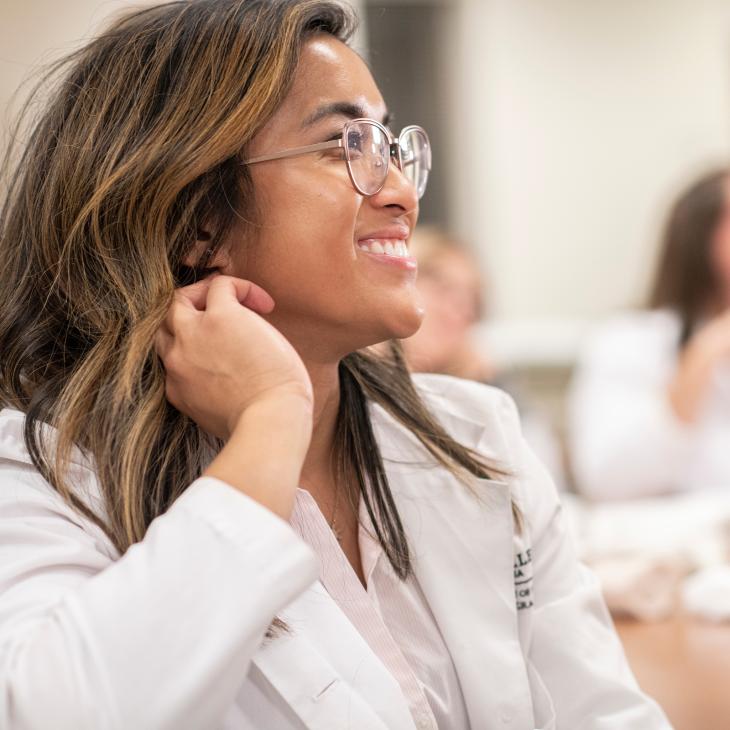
{"x":684,"y":664}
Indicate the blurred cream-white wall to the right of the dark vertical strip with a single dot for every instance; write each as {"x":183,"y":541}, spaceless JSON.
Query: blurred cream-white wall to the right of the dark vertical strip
{"x":582,"y":117}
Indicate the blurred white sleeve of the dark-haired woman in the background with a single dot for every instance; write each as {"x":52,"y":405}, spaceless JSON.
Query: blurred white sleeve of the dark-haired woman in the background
{"x":625,"y":440}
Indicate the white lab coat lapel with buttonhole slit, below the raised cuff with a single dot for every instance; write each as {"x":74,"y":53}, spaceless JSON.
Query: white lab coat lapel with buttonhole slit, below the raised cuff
{"x":337,"y":681}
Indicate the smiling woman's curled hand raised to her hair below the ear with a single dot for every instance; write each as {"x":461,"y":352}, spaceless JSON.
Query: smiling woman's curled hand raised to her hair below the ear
{"x":221,"y":356}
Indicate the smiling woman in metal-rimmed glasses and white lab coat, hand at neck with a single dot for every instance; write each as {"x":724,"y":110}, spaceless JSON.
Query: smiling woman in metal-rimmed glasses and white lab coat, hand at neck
{"x":217,"y":509}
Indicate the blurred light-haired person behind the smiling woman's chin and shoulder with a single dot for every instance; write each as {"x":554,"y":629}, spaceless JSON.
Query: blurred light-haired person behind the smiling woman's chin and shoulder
{"x":452,"y":288}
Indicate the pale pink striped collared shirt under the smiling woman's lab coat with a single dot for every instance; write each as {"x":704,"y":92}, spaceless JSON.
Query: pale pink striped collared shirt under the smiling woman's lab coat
{"x":391,"y":615}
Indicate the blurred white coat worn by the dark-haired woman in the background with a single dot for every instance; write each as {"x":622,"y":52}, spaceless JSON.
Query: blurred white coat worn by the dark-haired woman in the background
{"x":625,"y":440}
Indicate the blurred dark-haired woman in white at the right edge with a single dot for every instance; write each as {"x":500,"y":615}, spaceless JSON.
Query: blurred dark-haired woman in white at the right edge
{"x":650,"y":403}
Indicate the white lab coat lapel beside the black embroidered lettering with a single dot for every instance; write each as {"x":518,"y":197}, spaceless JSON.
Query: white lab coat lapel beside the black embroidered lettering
{"x":462,"y":549}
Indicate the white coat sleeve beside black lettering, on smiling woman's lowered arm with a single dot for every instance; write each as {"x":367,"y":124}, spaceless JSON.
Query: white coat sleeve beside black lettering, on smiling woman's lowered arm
{"x":573,"y":645}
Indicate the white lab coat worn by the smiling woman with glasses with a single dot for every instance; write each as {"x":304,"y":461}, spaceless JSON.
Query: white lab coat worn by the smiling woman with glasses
{"x":170,"y":636}
